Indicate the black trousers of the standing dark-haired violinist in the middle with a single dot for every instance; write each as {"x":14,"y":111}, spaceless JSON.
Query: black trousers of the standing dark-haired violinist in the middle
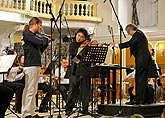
{"x":78,"y":83}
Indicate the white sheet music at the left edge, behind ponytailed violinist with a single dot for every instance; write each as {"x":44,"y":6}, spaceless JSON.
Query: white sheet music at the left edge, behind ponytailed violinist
{"x":6,"y":62}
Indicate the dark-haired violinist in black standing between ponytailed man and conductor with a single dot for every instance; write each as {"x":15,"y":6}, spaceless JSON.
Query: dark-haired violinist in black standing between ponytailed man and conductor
{"x":80,"y":74}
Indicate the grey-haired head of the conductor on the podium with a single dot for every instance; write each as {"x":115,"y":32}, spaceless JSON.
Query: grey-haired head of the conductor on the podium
{"x":131,"y":29}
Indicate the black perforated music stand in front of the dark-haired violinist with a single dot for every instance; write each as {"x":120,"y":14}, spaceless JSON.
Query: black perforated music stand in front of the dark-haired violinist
{"x":92,"y":54}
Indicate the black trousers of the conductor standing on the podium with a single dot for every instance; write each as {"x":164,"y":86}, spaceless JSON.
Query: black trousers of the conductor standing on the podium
{"x":141,"y":84}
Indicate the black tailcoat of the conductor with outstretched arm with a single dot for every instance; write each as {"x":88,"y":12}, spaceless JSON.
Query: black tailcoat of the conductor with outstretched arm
{"x":139,"y":49}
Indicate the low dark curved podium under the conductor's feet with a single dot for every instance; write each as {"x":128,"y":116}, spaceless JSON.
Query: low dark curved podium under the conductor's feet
{"x":149,"y":110}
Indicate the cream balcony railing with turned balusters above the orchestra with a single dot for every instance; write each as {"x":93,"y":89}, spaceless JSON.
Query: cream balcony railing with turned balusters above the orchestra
{"x":72,"y":10}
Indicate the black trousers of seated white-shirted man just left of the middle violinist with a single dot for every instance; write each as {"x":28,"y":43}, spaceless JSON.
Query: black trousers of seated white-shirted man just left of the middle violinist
{"x":64,"y":88}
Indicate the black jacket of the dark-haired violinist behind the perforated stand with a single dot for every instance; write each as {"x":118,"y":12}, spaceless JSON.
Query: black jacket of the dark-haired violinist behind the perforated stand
{"x":82,"y":68}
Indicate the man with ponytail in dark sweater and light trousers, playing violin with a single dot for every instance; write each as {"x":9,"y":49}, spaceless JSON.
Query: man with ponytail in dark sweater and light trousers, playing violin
{"x":33,"y":47}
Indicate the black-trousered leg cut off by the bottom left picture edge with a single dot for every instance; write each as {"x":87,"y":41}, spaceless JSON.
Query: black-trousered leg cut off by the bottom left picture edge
{"x":6,"y":95}
